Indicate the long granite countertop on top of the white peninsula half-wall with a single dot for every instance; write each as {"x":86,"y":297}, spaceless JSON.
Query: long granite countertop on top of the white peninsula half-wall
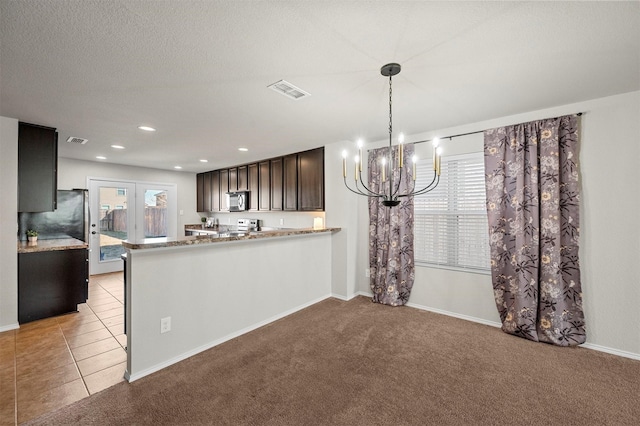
{"x":152,"y":243}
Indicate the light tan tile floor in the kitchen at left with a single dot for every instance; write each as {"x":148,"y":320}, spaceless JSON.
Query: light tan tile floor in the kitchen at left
{"x":50,"y":363}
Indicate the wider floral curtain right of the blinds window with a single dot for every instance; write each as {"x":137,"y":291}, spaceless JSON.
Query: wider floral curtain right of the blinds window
{"x":533,"y":203}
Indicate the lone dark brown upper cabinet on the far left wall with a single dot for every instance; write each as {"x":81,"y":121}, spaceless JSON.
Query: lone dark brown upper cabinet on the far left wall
{"x":37,"y":168}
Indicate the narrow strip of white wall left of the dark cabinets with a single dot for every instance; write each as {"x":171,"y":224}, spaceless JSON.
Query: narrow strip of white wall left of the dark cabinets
{"x":8,"y":223}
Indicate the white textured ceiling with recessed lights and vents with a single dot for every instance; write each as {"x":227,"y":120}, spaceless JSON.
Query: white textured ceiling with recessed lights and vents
{"x":198,"y":71}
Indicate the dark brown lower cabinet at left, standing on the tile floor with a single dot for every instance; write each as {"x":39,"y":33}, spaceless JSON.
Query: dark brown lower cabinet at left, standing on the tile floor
{"x":51,"y":283}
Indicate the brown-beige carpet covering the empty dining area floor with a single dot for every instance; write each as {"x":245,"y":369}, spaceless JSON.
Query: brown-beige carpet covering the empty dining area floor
{"x":359,"y":363}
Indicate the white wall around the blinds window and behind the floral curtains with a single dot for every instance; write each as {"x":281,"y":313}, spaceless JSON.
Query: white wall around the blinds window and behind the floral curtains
{"x":609,"y":241}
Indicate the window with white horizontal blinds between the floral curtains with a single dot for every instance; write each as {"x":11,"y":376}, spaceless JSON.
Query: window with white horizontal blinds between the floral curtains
{"x":450,"y":228}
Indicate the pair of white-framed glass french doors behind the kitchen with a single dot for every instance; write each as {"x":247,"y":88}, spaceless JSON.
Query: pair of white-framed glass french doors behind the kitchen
{"x":125,"y":210}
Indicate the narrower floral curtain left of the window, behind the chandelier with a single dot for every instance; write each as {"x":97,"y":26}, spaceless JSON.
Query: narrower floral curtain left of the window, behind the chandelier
{"x":391,"y":232}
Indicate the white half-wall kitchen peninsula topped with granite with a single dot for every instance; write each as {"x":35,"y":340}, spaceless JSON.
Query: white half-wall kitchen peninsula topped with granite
{"x":208,"y":289}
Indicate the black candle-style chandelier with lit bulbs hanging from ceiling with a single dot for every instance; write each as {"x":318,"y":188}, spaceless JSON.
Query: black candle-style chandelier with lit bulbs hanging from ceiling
{"x":389,"y":193}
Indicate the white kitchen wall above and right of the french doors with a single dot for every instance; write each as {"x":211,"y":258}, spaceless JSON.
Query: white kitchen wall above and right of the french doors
{"x":73,"y":174}
